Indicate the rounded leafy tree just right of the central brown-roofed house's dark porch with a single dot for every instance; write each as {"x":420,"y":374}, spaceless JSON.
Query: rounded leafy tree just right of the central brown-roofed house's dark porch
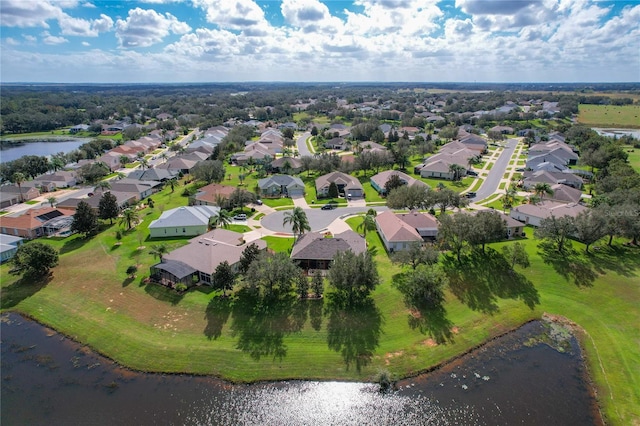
{"x":353,"y":276}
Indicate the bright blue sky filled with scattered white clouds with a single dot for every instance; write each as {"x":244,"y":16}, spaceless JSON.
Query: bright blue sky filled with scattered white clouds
{"x":181,"y":41}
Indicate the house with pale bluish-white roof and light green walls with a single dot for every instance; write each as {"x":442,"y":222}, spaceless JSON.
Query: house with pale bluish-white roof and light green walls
{"x":182,"y":221}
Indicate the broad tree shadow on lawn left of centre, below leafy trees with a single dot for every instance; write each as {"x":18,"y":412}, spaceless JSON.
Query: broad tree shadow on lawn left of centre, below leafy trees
{"x":260,"y":322}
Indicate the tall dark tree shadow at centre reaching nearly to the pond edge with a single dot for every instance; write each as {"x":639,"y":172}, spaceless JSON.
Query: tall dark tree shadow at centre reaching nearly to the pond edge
{"x":353,"y":330}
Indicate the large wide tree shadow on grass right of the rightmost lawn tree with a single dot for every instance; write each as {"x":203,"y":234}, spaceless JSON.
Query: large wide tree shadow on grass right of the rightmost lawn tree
{"x":484,"y":277}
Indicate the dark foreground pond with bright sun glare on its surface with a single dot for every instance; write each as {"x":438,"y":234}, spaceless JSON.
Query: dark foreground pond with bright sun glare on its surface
{"x":48,"y":379}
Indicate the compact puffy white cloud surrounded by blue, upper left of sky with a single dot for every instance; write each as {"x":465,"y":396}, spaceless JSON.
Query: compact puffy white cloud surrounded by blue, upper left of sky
{"x":144,"y":28}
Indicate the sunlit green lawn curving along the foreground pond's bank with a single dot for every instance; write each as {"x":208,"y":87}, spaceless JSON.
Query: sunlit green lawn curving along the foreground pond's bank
{"x":150,"y":328}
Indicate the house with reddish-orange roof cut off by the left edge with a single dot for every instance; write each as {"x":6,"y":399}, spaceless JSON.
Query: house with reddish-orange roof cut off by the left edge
{"x":36,"y":223}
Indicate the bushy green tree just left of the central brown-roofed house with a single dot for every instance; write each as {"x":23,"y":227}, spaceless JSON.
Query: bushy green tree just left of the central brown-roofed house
{"x":274,"y":273}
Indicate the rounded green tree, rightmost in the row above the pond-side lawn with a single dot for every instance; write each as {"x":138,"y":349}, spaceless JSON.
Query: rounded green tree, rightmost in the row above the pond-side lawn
{"x":423,"y":287}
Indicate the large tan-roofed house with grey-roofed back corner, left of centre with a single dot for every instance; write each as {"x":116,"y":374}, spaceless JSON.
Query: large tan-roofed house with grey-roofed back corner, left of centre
{"x":197,"y":261}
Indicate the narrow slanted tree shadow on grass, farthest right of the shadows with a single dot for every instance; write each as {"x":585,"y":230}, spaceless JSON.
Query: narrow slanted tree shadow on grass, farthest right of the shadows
{"x":572,"y":265}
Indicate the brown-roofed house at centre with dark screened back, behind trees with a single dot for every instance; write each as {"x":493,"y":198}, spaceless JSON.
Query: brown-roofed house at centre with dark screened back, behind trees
{"x":312,"y":251}
